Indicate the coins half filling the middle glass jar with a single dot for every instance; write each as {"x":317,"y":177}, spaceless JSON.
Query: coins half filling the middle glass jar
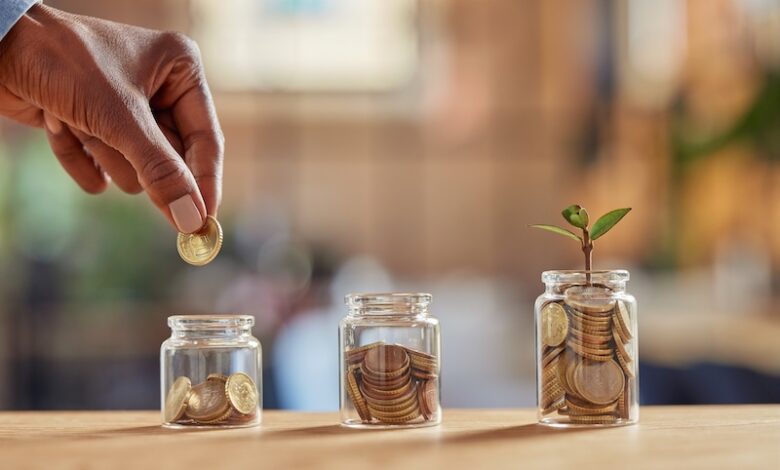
{"x":392,"y":384}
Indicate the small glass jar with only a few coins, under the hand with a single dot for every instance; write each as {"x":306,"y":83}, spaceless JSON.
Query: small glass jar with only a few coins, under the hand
{"x":211,"y":372}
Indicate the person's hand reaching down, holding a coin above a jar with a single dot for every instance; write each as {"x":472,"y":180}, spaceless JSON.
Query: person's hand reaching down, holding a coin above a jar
{"x":118,"y":103}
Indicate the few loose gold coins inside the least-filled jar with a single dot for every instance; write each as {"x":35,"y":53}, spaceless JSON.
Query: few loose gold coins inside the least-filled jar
{"x":219,"y":400}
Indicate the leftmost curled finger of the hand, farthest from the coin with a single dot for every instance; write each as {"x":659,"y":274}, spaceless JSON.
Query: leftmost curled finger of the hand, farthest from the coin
{"x":73,"y":158}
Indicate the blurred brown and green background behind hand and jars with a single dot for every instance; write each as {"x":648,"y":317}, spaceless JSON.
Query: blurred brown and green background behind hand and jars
{"x":405,"y":145}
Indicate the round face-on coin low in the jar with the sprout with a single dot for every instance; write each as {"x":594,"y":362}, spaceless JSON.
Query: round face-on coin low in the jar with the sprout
{"x":599,"y":382}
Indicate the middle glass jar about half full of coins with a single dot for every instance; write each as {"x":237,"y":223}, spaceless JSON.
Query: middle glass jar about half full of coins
{"x":389,"y":362}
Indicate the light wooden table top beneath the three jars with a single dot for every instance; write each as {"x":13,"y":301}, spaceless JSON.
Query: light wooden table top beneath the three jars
{"x":668,"y":437}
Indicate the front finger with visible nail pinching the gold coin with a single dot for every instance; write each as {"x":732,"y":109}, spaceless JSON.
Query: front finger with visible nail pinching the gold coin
{"x":161,"y":171}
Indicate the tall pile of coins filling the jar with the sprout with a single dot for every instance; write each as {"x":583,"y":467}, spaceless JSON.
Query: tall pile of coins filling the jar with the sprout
{"x":587,"y":368}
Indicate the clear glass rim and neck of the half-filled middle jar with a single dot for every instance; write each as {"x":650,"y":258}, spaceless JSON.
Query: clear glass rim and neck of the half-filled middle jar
{"x":388,"y":305}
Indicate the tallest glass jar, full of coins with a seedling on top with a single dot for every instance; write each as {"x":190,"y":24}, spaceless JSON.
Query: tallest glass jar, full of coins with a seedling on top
{"x":586,"y":350}
